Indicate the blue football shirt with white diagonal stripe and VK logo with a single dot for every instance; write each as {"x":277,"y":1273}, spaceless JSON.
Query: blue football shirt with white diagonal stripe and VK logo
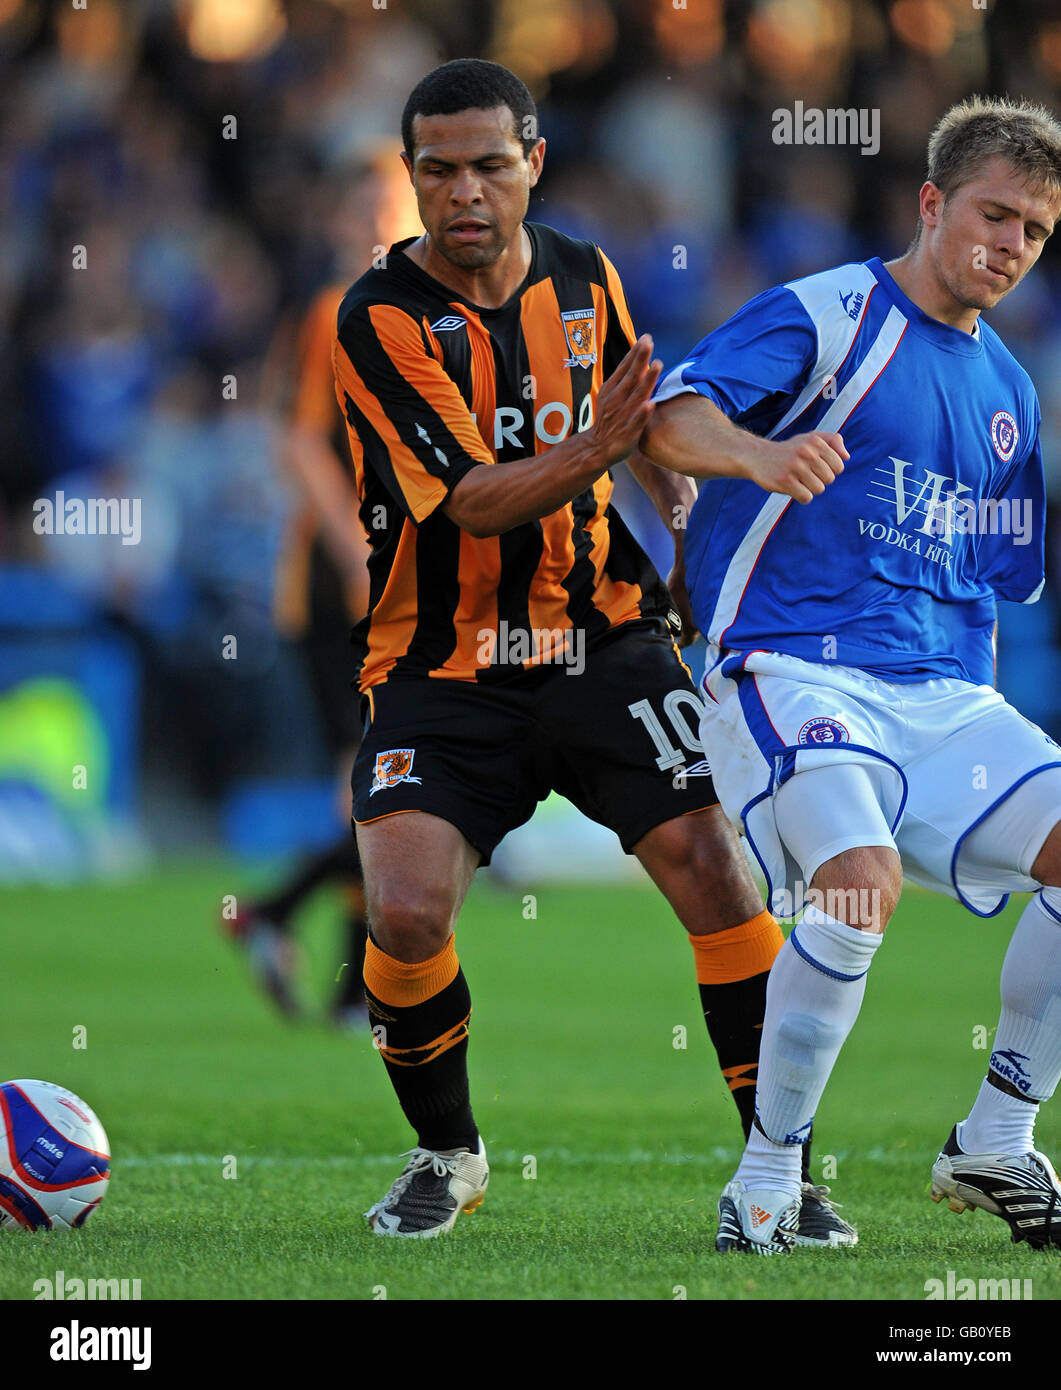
{"x":939,"y":512}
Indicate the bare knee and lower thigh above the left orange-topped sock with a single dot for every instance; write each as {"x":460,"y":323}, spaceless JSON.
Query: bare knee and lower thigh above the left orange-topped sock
{"x":418,"y":869}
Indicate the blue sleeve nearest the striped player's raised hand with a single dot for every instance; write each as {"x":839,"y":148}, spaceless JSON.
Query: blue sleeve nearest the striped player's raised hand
{"x":767,"y":351}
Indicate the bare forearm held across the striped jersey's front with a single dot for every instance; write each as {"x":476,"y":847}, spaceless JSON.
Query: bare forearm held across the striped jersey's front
{"x":496,"y":498}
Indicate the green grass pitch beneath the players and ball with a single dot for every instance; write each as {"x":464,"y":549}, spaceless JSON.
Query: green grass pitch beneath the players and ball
{"x":579,"y":1079}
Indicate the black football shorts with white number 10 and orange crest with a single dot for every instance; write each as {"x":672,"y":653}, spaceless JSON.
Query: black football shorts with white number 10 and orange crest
{"x":621,"y":740}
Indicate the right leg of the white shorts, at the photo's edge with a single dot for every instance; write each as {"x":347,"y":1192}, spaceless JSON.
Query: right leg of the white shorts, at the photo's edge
{"x":982,"y":801}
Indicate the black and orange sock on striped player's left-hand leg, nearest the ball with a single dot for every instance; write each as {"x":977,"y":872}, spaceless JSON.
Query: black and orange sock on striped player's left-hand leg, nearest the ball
{"x":419,"y":1015}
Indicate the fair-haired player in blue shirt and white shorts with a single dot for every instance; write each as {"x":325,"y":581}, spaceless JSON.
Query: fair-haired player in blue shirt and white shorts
{"x":853,"y":730}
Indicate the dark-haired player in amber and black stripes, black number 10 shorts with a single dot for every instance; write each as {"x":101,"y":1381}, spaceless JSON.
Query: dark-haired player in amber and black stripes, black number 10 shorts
{"x":518,"y":639}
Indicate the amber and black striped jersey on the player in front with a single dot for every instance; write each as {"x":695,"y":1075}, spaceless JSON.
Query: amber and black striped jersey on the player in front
{"x":432,"y":387}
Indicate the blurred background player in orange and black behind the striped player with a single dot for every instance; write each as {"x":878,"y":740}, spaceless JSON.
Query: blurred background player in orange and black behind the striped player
{"x":322,"y":583}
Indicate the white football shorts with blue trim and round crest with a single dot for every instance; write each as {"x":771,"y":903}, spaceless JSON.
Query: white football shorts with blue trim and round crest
{"x":920,"y":768}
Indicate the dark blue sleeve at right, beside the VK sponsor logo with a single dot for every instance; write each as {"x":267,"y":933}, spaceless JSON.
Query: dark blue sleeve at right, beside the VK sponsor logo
{"x":1013,"y":559}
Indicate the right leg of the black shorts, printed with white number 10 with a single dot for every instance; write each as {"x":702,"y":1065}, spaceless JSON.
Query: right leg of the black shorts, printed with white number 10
{"x":624,"y":736}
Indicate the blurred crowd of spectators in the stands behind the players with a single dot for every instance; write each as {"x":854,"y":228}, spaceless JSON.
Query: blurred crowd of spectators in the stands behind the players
{"x":176,"y":190}
